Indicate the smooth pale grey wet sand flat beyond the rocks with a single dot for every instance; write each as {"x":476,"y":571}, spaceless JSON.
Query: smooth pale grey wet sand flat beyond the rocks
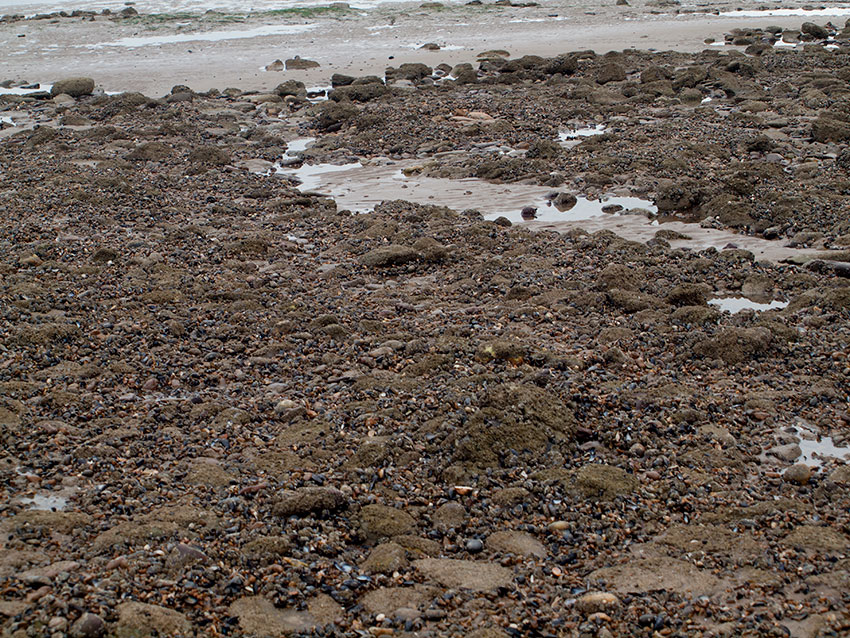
{"x":355,"y":43}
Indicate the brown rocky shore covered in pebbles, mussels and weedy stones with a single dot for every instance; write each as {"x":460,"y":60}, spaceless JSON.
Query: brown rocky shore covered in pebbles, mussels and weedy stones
{"x":230,"y":407}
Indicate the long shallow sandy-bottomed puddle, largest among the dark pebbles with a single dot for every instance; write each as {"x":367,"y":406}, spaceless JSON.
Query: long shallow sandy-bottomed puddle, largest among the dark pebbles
{"x":359,"y":188}
